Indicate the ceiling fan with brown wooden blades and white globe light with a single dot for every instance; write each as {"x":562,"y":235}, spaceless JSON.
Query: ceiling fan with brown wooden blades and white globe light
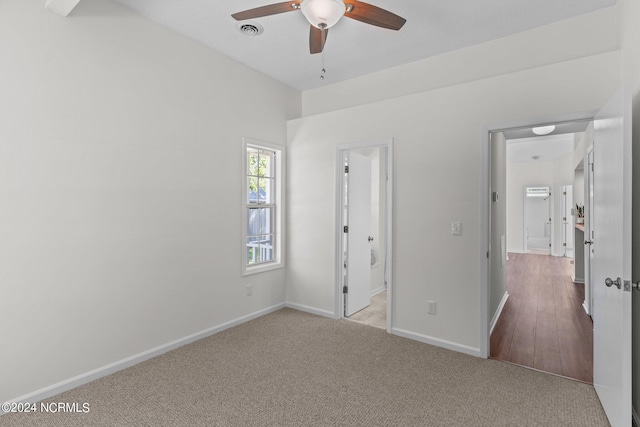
{"x":323,"y":14}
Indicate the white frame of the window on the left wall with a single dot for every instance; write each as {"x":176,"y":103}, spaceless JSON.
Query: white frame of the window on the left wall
{"x":279,"y":206}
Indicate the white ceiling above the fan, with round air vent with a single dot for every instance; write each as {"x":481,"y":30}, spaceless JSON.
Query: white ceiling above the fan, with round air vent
{"x":354,"y":48}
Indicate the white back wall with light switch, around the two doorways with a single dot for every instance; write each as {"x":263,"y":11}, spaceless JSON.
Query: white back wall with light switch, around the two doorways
{"x":438,"y":157}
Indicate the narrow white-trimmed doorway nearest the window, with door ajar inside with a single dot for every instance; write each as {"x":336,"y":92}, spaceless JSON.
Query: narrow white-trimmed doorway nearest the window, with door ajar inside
{"x":364,"y":174}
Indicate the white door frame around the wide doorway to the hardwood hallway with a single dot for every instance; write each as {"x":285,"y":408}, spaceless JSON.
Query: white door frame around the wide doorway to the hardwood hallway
{"x":485,"y":207}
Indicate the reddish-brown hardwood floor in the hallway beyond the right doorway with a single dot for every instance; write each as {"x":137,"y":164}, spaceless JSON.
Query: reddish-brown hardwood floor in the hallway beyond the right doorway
{"x":543,"y":324}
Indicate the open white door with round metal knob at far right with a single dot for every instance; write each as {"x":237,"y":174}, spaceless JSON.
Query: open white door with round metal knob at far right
{"x":612,"y":258}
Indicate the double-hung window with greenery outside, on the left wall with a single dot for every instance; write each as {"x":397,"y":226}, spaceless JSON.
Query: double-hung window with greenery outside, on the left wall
{"x":262,"y":207}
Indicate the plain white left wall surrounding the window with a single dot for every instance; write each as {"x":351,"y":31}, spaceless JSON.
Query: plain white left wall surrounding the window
{"x":120,"y":188}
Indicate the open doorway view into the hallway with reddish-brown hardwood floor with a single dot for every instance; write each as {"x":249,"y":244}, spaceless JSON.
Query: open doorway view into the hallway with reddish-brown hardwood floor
{"x":538,"y":315}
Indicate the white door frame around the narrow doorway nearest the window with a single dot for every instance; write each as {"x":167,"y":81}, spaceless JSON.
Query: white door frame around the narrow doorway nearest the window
{"x":338,"y":262}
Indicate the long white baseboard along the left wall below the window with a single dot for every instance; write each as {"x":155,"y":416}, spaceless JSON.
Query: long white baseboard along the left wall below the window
{"x":111,"y":368}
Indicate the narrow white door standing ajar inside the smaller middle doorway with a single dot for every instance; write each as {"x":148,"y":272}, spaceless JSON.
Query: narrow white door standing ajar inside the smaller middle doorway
{"x":358,"y":280}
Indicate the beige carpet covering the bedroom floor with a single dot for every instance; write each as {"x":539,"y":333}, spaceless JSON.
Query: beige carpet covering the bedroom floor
{"x":295,"y":369}
